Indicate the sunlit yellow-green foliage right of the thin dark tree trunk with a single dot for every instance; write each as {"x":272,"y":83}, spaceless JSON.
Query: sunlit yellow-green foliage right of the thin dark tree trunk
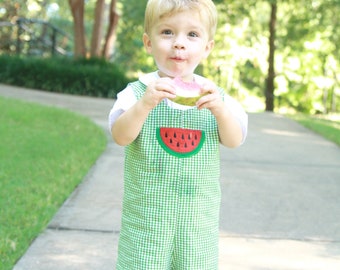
{"x":309,"y":52}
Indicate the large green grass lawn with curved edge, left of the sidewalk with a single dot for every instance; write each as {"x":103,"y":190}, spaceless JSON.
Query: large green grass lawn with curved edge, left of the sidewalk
{"x":44,"y":154}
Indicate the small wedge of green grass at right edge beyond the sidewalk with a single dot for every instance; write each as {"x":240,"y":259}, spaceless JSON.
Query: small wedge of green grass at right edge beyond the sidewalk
{"x":326,"y":126}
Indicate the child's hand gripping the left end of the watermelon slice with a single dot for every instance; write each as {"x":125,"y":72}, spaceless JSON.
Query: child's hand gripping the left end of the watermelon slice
{"x":157,"y":91}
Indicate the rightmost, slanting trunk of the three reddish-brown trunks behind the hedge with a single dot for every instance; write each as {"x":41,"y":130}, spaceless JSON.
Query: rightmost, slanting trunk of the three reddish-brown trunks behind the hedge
{"x":111,"y":32}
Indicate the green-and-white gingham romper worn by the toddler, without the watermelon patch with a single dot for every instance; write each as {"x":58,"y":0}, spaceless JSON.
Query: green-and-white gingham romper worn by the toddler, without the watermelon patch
{"x":171,"y":204}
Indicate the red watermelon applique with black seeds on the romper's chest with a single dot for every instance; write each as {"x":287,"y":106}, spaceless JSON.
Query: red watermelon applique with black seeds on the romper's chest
{"x":180,"y":142}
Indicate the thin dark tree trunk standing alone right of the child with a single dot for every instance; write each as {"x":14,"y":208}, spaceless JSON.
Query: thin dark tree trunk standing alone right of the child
{"x":269,"y":92}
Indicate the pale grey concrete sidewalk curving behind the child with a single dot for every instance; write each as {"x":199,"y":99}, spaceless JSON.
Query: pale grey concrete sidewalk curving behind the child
{"x":280,"y":203}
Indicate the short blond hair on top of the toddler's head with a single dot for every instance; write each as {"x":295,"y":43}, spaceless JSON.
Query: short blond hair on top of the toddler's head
{"x":157,"y":9}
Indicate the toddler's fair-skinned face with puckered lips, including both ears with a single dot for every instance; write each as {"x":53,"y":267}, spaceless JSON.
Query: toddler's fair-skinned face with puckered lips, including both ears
{"x":178,"y":43}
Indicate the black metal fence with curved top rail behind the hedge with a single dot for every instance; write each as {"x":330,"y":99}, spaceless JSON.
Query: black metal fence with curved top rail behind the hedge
{"x":34,"y":37}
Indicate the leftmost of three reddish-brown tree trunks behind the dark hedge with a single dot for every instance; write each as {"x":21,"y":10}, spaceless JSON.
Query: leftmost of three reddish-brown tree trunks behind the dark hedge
{"x":77,"y":8}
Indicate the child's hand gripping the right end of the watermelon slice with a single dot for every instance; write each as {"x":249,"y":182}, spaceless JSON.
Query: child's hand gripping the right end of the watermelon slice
{"x":211,"y":100}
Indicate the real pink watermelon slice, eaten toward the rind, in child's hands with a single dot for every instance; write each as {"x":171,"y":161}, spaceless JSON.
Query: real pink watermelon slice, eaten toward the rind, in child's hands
{"x":187,"y":93}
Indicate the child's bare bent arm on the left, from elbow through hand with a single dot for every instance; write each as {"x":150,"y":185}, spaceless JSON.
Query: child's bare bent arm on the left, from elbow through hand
{"x":128,"y":125}
